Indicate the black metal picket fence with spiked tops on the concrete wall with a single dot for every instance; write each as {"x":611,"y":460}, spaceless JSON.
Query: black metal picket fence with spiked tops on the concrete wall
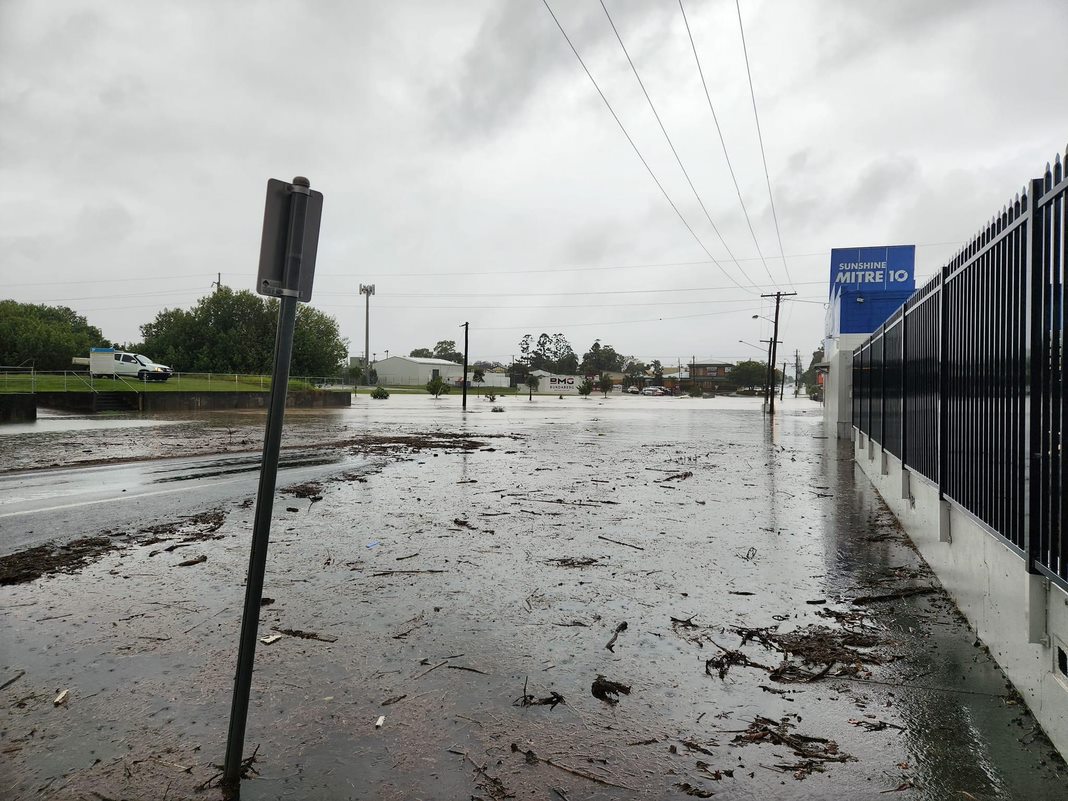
{"x":966,"y":383}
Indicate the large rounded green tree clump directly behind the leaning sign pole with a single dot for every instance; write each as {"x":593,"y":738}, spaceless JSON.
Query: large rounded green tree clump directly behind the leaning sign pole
{"x":234,"y":333}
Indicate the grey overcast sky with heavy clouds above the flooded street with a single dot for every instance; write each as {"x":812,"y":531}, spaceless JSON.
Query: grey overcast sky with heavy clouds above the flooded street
{"x":473,"y":172}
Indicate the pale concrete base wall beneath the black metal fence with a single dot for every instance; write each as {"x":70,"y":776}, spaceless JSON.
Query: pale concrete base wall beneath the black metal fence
{"x":1020,"y":618}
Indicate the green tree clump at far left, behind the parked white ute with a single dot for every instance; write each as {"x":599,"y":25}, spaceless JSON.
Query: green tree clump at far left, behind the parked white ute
{"x":44,"y":337}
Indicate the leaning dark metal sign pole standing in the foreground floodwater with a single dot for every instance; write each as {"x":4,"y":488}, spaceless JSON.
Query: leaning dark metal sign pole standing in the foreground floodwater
{"x":301,"y":241}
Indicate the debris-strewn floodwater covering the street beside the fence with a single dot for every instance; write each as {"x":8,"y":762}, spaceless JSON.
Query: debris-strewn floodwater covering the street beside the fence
{"x":632,"y":599}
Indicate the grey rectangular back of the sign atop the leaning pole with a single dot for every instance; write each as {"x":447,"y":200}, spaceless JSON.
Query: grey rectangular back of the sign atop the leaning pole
{"x":275,"y":246}
